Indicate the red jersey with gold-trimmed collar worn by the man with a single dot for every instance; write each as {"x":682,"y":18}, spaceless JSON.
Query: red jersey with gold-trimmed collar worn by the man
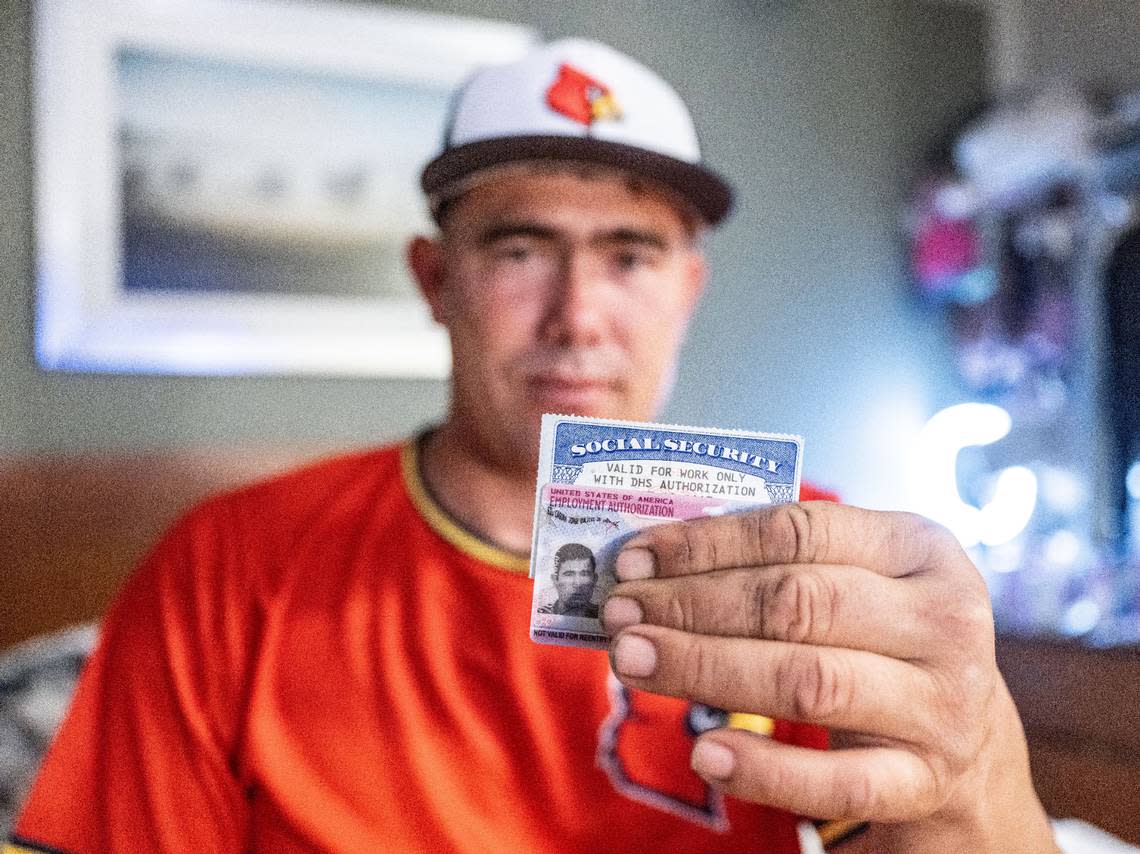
{"x":327,"y":662}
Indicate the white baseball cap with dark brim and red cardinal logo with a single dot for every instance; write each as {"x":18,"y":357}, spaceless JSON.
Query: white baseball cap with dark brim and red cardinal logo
{"x":575,"y":101}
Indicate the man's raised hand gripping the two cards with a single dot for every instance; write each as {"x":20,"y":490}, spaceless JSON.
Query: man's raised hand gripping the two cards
{"x":874,"y":625}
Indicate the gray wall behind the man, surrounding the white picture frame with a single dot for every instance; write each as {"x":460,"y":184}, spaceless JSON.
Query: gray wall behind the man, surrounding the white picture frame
{"x":816,"y":110}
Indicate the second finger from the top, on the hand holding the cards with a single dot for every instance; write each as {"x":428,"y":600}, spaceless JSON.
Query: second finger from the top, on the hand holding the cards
{"x":821,"y":605}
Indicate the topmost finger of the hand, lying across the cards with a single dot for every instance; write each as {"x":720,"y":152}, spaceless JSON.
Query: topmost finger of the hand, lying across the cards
{"x":891,"y":544}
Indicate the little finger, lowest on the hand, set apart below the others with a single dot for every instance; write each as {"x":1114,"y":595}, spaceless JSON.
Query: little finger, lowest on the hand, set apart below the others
{"x":880,"y":784}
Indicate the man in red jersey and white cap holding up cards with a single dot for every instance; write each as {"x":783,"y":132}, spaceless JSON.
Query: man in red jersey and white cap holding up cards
{"x":303,"y":666}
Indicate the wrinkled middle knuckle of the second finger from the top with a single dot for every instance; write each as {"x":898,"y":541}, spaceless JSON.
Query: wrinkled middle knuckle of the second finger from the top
{"x":797,"y":607}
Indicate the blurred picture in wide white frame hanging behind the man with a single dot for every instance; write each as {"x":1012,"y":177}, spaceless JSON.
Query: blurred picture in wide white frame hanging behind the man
{"x":227,"y":186}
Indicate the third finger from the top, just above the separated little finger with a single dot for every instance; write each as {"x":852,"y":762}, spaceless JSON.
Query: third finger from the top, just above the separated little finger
{"x":835,"y":688}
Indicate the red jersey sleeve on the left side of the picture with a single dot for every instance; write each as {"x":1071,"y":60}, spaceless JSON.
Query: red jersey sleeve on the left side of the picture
{"x":149,"y":755}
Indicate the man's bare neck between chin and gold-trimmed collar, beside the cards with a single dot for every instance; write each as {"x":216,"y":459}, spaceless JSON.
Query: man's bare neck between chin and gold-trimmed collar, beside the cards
{"x":496,"y":505}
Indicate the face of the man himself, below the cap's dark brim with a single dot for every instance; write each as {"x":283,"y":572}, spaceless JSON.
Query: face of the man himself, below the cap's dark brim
{"x":561,"y":294}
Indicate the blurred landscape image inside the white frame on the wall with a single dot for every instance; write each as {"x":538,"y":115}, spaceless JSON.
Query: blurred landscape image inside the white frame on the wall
{"x":224,"y":190}
